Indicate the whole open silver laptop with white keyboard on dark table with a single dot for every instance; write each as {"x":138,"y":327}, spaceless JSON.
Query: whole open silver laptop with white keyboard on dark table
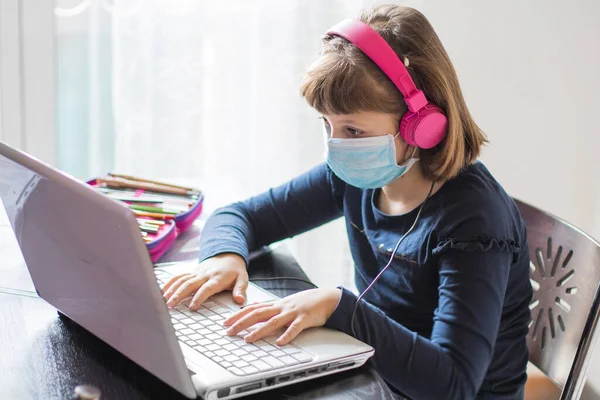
{"x":86,"y":258}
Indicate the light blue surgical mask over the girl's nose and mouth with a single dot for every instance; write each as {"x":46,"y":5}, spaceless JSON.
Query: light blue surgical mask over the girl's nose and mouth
{"x":367,"y":163}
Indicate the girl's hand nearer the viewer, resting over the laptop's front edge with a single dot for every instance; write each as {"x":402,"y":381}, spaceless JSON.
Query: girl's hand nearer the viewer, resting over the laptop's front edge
{"x":299,"y":311}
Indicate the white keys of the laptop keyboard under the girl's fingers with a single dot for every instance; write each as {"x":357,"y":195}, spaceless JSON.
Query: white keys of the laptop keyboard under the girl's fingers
{"x":203,"y":331}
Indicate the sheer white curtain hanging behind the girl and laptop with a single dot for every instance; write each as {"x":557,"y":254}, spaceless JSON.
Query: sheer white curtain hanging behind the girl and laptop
{"x":203,"y":92}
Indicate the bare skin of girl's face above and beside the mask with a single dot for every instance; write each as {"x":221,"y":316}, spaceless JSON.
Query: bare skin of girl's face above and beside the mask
{"x":366,"y":124}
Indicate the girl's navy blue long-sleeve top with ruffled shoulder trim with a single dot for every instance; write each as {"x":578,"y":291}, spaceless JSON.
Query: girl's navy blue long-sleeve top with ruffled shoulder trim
{"x":448,"y":319}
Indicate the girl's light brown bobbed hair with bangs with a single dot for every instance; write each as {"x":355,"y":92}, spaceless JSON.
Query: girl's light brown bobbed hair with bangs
{"x":344,"y":81}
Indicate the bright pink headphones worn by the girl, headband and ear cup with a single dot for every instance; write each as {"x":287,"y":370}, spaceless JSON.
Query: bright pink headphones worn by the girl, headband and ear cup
{"x":424,"y":124}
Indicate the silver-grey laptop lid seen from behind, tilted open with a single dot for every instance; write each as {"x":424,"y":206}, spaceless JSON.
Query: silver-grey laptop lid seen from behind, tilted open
{"x":87,"y":258}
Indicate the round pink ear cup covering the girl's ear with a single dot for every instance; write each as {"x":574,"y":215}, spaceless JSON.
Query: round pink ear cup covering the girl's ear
{"x":425,"y":128}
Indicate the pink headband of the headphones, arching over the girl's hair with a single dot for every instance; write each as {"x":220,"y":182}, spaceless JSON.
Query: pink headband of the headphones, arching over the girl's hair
{"x":377,"y":49}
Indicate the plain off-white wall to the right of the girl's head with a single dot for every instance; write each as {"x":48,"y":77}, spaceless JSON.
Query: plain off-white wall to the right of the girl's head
{"x":529,"y":70}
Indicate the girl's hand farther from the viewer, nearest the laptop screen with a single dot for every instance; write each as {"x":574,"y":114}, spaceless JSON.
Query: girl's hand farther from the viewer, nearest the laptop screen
{"x":225,"y":271}
